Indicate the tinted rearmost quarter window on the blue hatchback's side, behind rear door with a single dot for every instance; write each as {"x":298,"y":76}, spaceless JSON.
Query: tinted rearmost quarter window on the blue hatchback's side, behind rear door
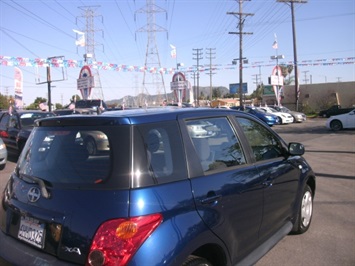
{"x":159,"y":155}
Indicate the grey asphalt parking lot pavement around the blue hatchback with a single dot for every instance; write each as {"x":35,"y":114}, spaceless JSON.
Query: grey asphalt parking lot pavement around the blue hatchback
{"x":331,"y":238}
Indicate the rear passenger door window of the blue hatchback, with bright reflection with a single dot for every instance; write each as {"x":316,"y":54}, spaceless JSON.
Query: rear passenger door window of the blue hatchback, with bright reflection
{"x":216,"y":143}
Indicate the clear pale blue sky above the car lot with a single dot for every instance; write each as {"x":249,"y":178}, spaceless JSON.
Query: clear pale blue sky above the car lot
{"x":39,"y":29}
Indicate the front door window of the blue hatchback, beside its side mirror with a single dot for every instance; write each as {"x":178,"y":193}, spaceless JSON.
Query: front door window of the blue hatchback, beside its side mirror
{"x":263,"y":143}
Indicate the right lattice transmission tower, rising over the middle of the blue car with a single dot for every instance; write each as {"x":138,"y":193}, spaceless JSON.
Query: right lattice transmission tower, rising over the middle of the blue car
{"x":152,"y":60}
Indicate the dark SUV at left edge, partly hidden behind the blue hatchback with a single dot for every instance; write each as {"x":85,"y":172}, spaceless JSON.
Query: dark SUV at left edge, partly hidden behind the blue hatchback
{"x":16,"y":127}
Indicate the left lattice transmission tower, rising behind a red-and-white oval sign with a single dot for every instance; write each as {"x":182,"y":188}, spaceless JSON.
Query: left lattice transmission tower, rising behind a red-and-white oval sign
{"x":88,"y":13}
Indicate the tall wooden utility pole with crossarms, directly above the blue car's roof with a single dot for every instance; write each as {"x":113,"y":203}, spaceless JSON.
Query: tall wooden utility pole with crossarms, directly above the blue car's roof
{"x":241,"y":16}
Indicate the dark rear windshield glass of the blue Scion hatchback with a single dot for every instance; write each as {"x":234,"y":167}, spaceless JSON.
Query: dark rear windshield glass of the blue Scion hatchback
{"x":76,"y":155}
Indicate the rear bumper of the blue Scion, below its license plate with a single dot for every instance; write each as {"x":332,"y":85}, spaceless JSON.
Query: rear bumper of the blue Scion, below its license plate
{"x":13,"y":252}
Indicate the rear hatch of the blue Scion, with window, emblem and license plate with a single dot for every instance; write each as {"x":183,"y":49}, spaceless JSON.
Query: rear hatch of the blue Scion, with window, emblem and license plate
{"x":59,"y":195}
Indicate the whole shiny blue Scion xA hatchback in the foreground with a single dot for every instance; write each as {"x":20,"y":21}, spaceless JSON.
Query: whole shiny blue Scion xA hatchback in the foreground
{"x":177,"y":186}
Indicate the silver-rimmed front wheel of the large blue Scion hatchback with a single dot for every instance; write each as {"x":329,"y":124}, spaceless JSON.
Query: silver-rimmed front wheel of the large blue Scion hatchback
{"x":305,"y":212}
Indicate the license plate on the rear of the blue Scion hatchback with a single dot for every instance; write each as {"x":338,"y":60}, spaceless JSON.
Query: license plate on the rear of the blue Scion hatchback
{"x":32,"y":232}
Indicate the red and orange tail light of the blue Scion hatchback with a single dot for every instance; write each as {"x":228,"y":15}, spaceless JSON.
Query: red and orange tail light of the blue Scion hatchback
{"x":116,"y":241}
